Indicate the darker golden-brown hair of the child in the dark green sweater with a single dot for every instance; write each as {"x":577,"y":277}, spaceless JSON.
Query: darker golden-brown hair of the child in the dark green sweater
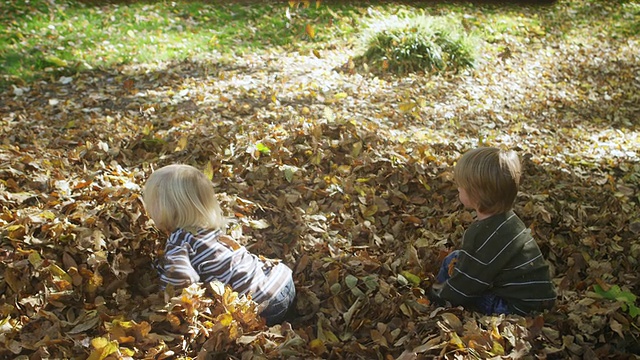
{"x":490,"y":177}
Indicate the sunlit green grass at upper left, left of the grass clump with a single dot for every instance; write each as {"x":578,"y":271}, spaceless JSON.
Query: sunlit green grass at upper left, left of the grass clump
{"x":70,"y":36}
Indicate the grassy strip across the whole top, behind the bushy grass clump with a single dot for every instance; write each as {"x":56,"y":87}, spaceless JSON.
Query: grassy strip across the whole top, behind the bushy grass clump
{"x":39,"y":38}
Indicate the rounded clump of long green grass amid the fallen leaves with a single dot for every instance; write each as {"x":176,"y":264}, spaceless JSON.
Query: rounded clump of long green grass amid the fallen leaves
{"x":421,"y":43}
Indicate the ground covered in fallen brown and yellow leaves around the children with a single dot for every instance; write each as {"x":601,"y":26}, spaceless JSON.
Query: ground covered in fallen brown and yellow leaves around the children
{"x":344,"y":175}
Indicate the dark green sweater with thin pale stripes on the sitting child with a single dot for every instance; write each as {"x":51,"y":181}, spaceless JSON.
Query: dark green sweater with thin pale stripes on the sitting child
{"x":500,"y":256}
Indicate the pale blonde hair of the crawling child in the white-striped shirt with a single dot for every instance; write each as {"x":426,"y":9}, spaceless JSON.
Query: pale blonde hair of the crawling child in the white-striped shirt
{"x":180,"y":196}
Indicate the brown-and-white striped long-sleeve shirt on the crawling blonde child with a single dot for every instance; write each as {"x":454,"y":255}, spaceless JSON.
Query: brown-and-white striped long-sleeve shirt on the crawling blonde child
{"x":209,"y":255}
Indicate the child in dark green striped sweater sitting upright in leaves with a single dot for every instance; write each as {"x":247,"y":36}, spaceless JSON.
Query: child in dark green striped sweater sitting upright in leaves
{"x":499,"y":268}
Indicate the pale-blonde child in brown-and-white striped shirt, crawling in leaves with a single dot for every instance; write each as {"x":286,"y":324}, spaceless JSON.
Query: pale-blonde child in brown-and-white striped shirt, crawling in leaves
{"x":182,"y":202}
